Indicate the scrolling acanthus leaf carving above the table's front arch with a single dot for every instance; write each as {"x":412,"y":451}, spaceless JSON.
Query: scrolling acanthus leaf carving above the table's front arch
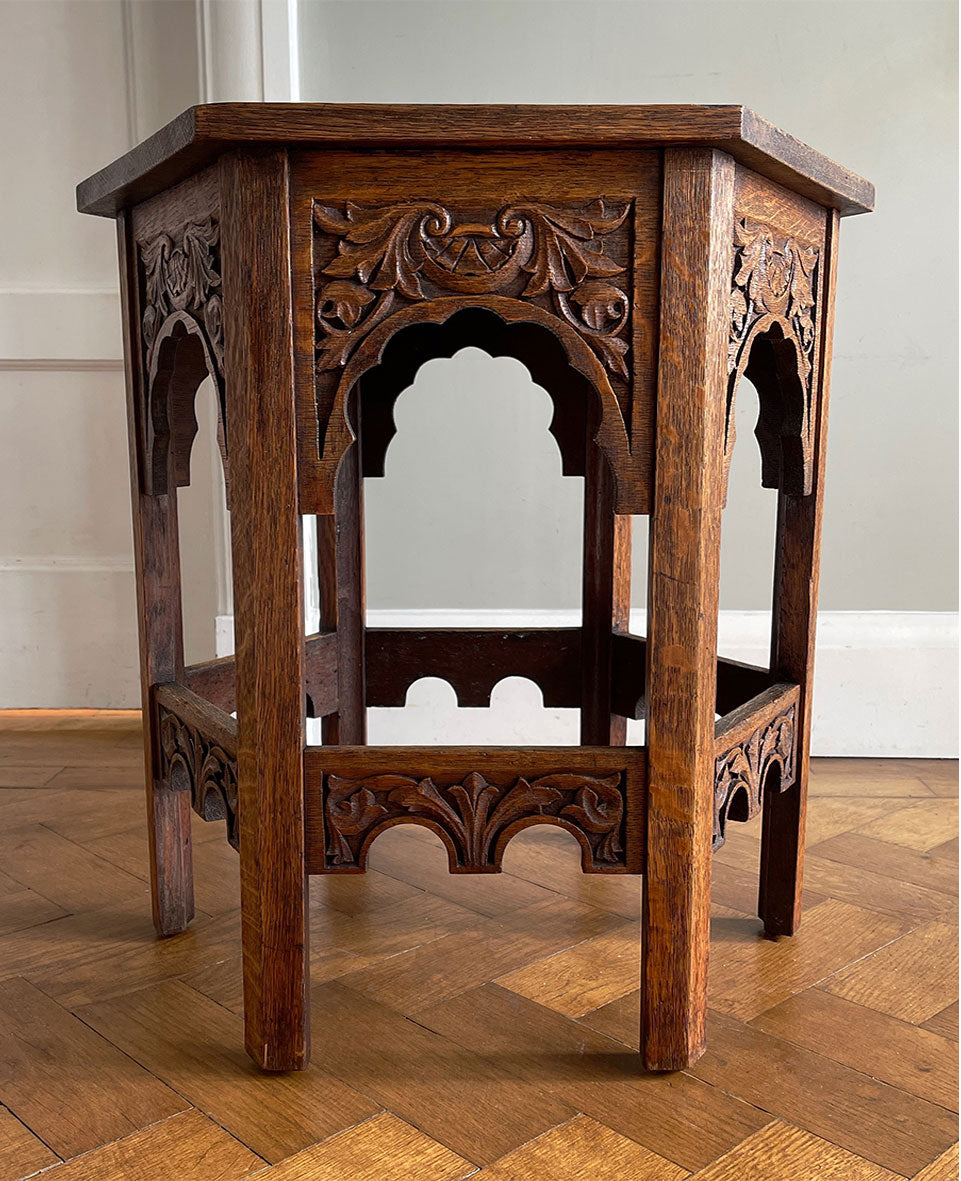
{"x":416,"y":250}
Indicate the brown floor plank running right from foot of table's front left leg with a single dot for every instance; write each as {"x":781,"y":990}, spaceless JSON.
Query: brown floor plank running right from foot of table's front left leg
{"x":468,"y":1101}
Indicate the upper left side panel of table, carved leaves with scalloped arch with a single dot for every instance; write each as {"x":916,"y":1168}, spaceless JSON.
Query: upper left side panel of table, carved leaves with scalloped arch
{"x":181,"y":298}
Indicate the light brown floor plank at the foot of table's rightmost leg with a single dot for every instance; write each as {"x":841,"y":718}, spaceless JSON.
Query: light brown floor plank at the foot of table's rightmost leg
{"x":751,"y":976}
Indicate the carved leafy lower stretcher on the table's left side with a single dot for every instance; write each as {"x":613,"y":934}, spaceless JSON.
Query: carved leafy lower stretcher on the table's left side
{"x":193,"y":762}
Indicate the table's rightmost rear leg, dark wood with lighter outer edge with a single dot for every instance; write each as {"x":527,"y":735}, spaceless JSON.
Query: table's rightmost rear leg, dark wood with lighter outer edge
{"x":793,"y":644}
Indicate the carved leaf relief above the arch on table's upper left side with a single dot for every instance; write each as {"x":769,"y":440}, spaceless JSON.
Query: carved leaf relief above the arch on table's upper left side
{"x":182,"y":275}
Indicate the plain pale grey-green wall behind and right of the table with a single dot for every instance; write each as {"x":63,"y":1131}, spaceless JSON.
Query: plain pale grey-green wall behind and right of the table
{"x":872,"y":84}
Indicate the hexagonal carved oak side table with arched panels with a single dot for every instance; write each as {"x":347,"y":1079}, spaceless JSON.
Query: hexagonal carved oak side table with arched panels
{"x":639,"y":262}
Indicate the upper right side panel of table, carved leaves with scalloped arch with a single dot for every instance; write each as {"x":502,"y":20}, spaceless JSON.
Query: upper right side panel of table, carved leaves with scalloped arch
{"x":774,"y":296}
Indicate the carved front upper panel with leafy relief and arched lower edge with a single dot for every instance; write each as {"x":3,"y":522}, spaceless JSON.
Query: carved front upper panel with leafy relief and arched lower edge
{"x":566,"y":267}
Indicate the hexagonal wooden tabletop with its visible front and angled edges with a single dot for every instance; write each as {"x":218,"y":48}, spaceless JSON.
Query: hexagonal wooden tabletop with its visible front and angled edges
{"x":202,"y":133}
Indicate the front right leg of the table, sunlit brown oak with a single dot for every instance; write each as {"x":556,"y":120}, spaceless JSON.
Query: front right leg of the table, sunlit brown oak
{"x":683,"y":619}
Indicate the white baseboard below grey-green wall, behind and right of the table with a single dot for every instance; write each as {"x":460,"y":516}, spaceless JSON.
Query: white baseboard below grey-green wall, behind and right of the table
{"x":886,"y":683}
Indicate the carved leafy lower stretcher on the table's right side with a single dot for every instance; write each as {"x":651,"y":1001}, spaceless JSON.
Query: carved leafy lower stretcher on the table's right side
{"x":741,"y":773}
